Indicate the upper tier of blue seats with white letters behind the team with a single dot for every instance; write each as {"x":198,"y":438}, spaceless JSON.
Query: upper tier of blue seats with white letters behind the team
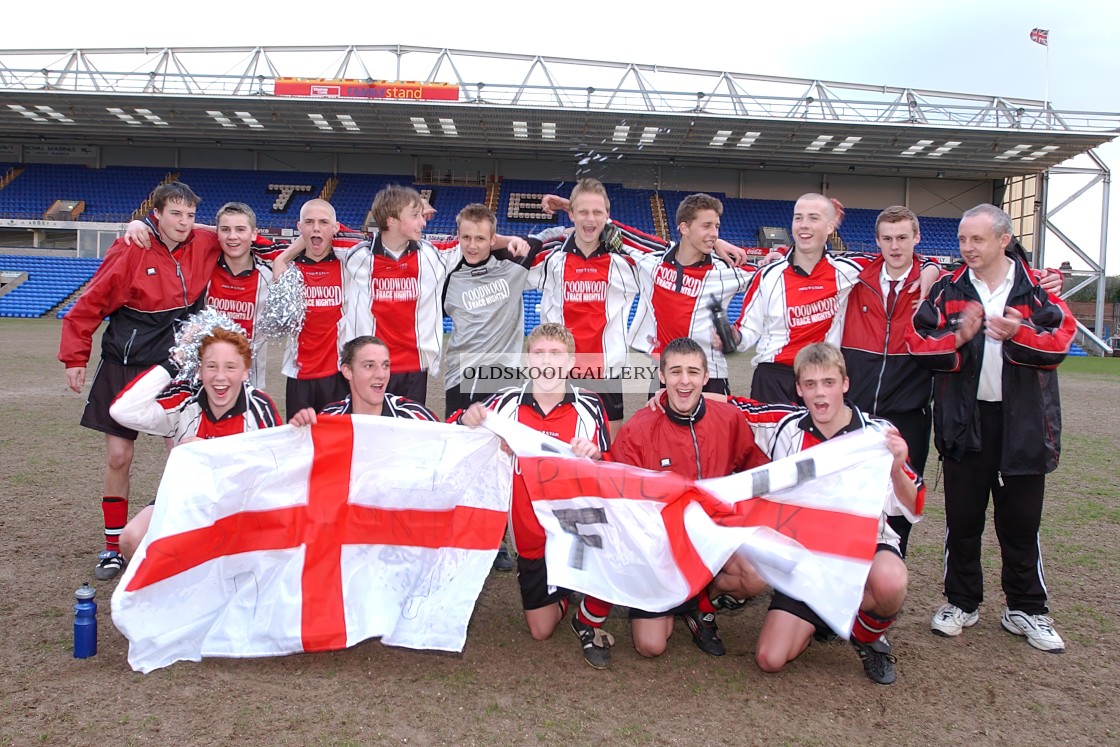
{"x":113,"y":194}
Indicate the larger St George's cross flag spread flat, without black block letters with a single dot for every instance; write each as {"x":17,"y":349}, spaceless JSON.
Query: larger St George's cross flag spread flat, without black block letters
{"x":313,"y":539}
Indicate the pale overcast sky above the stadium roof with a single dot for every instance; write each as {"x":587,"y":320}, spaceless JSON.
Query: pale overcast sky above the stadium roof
{"x":953,"y":45}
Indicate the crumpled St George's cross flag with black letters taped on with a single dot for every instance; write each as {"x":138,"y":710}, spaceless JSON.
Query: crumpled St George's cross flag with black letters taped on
{"x":809,"y":524}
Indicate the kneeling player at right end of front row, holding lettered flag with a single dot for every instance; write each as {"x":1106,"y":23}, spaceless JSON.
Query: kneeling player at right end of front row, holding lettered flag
{"x":823,"y":380}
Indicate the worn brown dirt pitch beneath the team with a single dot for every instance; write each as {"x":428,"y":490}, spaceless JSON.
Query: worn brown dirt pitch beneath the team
{"x":985,"y":688}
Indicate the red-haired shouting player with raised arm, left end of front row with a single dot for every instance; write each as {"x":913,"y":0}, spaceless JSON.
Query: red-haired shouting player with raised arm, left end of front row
{"x":222,"y":404}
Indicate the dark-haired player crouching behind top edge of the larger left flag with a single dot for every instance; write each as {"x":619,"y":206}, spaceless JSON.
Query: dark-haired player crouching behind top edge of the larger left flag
{"x":367,"y":368}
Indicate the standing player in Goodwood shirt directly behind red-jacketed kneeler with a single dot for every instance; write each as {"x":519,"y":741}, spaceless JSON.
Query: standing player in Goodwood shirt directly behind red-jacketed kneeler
{"x":680,"y":286}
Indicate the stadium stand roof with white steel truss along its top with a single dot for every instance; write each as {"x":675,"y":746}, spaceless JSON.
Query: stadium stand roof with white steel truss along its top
{"x":529,"y":108}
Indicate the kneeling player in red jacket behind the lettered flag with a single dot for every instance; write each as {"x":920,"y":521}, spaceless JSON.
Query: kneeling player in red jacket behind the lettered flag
{"x":697,"y":438}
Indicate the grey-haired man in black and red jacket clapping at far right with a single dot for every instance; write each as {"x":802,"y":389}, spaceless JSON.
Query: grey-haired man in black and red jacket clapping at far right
{"x":994,"y":338}
